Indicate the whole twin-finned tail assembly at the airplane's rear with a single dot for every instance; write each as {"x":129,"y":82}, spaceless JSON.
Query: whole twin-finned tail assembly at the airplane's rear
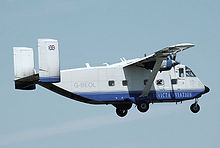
{"x":49,"y":65}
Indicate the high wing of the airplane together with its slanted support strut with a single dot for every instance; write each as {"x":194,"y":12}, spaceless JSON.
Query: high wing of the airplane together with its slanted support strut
{"x":157,"y":58}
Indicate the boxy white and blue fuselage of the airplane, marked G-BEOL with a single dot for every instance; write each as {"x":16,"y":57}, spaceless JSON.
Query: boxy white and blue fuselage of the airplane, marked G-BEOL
{"x":112,"y":83}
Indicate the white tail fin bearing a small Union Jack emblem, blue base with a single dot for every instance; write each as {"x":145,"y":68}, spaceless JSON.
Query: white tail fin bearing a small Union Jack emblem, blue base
{"x":49,"y":64}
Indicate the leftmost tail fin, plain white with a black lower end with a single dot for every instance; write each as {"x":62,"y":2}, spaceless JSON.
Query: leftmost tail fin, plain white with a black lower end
{"x":23,"y":68}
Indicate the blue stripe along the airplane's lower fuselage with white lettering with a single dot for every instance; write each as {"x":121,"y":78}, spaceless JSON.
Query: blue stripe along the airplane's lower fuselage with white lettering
{"x":134,"y":95}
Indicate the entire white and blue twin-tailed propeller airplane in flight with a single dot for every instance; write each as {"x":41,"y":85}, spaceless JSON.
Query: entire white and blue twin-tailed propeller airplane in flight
{"x":156,"y":78}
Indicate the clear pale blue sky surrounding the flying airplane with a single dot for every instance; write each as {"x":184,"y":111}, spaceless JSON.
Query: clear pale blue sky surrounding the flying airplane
{"x":102,"y":31}
